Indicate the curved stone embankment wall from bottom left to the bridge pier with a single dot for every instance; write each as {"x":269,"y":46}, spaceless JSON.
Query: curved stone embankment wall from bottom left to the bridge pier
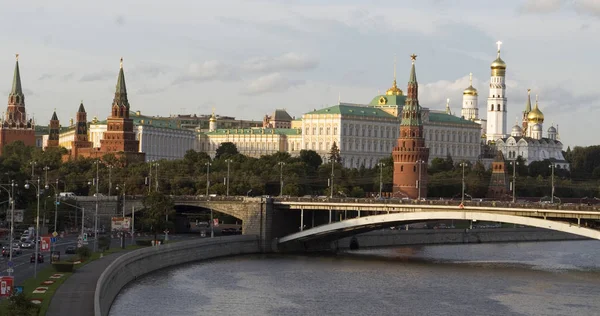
{"x":137,"y":263}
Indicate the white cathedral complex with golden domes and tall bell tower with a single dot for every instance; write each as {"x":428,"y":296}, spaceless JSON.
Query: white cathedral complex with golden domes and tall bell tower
{"x":526,"y":139}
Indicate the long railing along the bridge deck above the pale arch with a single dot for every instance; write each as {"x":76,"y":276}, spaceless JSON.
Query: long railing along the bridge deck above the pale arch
{"x":526,"y":205}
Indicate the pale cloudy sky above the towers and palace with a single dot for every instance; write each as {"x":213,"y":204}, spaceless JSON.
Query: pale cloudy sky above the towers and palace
{"x":245,"y":58}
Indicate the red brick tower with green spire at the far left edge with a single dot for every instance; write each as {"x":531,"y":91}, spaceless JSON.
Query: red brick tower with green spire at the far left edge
{"x":15,"y":126}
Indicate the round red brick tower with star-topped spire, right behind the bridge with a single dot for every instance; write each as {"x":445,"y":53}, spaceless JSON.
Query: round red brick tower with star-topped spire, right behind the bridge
{"x":410,"y":154}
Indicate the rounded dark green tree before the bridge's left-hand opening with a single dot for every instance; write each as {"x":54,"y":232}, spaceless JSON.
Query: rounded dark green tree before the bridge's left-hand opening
{"x":158,"y":206}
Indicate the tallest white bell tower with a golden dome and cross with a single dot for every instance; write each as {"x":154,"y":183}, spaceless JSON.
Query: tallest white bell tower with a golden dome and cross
{"x":496,"y":105}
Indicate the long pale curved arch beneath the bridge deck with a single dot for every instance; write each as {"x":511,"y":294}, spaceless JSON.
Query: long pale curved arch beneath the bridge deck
{"x":367,"y":223}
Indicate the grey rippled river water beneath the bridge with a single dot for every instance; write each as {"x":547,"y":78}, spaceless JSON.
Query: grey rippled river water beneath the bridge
{"x":544,"y":278}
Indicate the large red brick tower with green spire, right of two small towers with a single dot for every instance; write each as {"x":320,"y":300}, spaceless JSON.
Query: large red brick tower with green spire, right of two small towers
{"x":119,"y":136}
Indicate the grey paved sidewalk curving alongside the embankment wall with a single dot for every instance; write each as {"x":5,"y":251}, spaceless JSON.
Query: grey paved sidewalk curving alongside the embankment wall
{"x":76,"y":295}
